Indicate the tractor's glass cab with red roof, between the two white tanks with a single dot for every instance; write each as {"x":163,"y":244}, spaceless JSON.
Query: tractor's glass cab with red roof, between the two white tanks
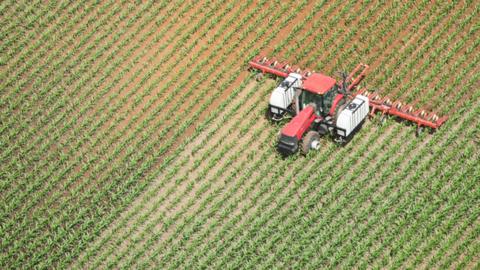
{"x":320,"y":90}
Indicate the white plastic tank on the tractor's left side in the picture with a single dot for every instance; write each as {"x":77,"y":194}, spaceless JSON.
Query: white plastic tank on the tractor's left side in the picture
{"x":283,"y":95}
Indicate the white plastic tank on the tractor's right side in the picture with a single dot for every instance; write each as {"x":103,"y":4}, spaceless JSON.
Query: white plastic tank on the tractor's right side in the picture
{"x":353,"y":115}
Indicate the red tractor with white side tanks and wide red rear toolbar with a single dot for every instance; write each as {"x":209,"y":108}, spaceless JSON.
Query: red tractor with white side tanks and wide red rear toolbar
{"x":320,"y":105}
